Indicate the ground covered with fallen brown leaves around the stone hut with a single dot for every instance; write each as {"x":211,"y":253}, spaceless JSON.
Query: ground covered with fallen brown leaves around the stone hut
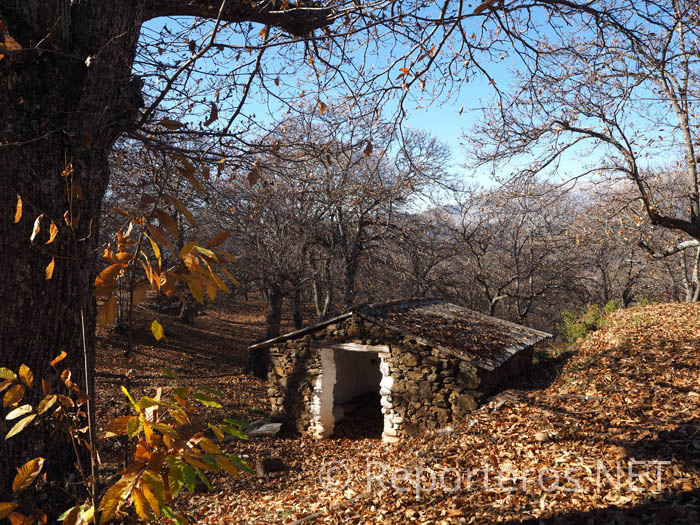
{"x":611,"y":435}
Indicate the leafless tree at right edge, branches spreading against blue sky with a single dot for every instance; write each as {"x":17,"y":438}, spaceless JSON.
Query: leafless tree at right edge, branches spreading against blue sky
{"x":606,"y":95}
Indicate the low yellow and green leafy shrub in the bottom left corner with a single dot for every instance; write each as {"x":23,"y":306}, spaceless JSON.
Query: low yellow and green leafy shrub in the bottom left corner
{"x":171,"y":444}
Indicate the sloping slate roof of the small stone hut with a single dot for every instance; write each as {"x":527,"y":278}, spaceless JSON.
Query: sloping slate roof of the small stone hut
{"x":481,"y":339}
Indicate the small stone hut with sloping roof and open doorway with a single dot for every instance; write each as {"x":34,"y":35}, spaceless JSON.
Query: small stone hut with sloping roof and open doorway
{"x":430,"y":361}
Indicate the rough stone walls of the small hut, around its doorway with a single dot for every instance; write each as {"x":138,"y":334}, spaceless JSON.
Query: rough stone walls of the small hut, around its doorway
{"x":422,"y":388}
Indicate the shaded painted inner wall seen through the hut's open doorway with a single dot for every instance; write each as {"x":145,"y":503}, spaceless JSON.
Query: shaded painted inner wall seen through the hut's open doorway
{"x":356,"y":373}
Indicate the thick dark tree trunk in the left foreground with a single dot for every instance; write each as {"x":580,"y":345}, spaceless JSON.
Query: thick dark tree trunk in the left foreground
{"x":59,"y":110}
